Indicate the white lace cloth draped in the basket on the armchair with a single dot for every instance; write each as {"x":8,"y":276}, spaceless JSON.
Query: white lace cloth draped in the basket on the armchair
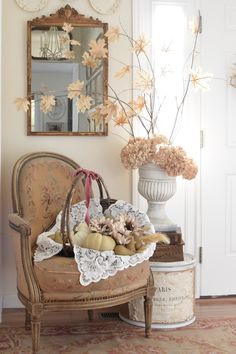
{"x":95,"y":265}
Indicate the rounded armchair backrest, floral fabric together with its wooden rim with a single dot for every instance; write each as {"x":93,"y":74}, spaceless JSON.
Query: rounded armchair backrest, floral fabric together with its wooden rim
{"x":40,"y":184}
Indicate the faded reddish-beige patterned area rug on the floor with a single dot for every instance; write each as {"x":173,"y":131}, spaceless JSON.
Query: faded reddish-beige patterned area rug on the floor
{"x":116,"y":337}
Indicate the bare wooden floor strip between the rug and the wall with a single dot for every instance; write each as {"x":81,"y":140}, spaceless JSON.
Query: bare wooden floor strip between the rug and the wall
{"x":205,"y":308}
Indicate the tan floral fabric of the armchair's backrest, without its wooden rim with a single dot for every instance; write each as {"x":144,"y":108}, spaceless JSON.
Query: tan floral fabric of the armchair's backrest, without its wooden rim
{"x":43,"y":186}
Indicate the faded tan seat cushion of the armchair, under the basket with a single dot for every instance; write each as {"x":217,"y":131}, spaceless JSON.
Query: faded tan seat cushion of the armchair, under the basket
{"x":59,"y":278}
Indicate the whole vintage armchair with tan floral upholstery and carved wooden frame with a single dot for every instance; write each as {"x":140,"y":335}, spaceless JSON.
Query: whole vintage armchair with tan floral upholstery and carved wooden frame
{"x":40,"y":183}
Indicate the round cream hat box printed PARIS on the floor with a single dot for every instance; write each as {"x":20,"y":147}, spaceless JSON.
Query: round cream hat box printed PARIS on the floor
{"x":174,"y":300}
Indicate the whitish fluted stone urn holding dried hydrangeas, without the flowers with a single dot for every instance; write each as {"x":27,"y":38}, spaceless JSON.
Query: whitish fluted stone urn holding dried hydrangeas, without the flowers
{"x":157,"y":188}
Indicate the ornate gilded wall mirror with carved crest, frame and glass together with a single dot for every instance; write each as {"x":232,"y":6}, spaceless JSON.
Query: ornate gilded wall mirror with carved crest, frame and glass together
{"x":64,"y":81}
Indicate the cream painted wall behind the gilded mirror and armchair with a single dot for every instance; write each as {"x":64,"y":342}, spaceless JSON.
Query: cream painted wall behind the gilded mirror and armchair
{"x":98,"y":153}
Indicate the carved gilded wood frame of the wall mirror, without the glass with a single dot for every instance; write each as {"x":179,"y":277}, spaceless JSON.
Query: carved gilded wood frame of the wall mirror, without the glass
{"x":69,"y":15}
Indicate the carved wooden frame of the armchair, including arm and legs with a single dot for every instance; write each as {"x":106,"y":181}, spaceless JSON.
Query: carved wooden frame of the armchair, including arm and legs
{"x":35,"y":304}
